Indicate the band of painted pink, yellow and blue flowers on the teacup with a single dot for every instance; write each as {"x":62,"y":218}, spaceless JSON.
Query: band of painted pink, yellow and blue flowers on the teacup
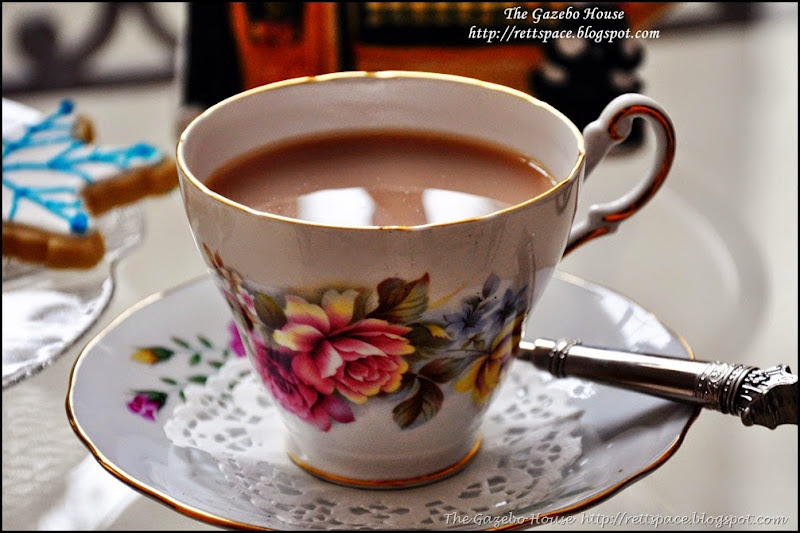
{"x":321,"y":353}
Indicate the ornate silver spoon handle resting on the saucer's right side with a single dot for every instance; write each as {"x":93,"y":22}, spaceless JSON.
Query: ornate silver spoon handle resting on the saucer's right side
{"x":763,"y":397}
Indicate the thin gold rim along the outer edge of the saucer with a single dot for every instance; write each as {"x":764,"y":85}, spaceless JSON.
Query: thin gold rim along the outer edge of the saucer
{"x":212,"y":519}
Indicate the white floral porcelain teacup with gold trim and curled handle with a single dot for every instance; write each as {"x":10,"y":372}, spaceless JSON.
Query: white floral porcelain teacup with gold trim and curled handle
{"x":384,"y":345}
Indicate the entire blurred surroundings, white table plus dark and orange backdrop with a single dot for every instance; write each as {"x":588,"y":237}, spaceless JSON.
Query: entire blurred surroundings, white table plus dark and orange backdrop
{"x":714,"y":255}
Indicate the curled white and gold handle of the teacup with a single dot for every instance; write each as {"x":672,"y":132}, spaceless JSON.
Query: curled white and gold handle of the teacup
{"x":611,"y":128}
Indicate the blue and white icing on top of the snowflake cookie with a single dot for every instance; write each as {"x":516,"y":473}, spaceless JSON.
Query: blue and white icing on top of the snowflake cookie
{"x":70,"y":159}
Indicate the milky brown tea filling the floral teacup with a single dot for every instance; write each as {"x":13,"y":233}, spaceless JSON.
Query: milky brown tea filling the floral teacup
{"x":385,"y":178}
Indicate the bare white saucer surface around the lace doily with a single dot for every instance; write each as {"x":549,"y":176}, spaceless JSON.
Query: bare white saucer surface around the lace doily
{"x":624,"y":435}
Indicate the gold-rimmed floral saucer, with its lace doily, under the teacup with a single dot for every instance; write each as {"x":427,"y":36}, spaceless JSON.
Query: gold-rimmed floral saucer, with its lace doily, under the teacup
{"x":174,"y":351}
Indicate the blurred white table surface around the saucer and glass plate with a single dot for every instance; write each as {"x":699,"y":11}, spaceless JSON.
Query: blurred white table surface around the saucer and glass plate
{"x":714,"y":256}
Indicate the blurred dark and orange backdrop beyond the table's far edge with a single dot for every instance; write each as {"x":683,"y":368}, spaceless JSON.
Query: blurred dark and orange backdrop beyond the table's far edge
{"x":212,"y":52}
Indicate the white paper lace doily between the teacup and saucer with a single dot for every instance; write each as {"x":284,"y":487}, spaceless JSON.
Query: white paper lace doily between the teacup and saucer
{"x":529,"y":438}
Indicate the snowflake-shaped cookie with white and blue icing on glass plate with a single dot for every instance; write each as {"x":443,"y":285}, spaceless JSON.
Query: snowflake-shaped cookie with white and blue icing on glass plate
{"x":56,"y":181}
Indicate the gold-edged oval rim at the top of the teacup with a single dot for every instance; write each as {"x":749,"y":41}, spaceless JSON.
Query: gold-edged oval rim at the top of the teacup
{"x":388,"y":74}
